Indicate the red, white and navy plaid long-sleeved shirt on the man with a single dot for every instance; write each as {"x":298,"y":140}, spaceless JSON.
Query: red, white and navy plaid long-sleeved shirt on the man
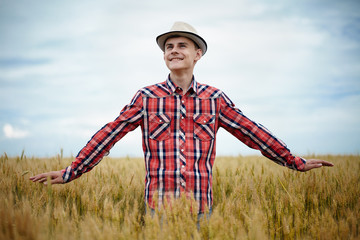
{"x":179,"y":139}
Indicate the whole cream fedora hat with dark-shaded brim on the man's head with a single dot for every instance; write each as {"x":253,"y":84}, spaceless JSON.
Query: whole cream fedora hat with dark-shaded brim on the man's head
{"x":184,"y":30}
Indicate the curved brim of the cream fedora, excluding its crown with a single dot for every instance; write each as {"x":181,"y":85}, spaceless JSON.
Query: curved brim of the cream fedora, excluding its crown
{"x":161,"y":39}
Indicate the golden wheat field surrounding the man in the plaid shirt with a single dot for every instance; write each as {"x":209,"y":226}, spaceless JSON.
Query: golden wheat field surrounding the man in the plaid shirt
{"x":253,"y":199}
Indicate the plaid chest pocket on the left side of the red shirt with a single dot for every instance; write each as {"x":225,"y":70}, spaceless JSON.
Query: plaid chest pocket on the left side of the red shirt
{"x":159,"y":126}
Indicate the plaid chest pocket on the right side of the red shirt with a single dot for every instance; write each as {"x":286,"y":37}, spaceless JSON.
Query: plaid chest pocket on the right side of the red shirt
{"x":204,"y":127}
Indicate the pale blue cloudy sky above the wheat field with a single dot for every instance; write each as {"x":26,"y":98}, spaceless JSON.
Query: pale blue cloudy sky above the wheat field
{"x":69,"y":67}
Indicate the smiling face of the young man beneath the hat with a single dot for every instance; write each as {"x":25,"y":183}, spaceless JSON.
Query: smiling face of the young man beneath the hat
{"x":181,"y":54}
